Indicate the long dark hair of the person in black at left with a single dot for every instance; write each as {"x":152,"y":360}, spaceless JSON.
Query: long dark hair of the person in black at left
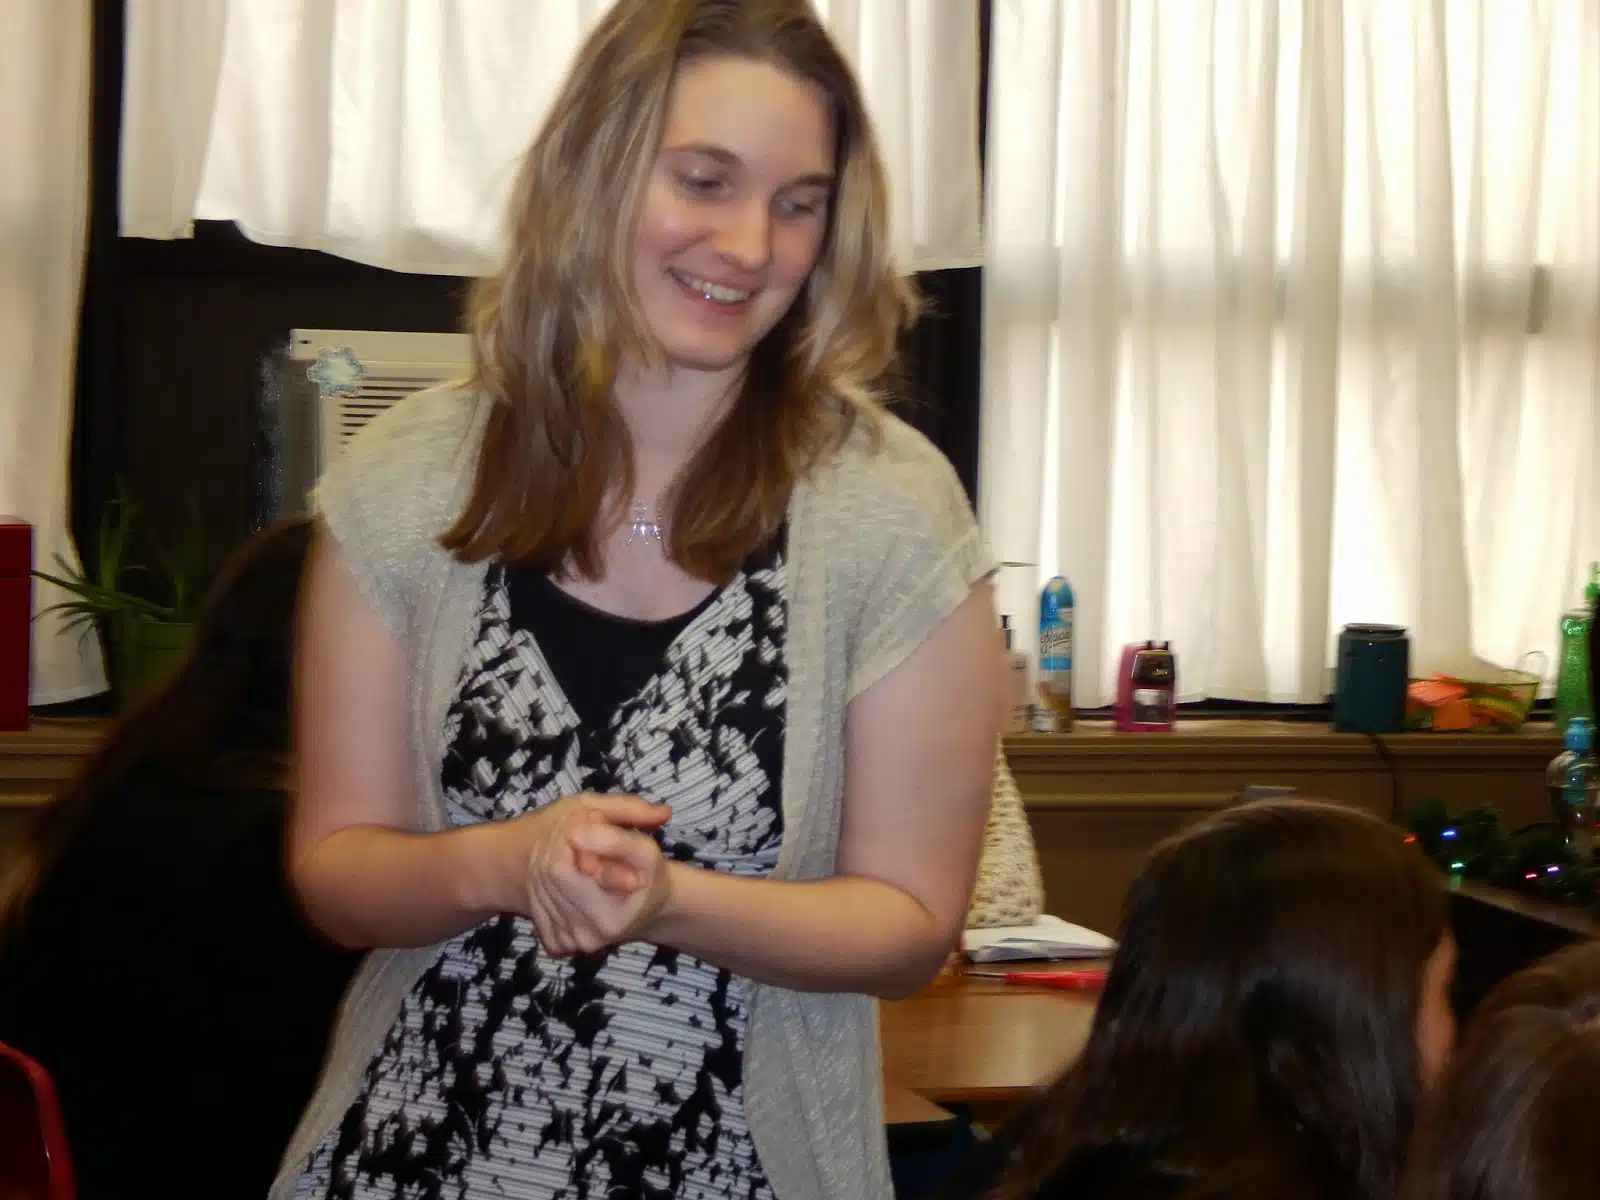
{"x":223,"y":719}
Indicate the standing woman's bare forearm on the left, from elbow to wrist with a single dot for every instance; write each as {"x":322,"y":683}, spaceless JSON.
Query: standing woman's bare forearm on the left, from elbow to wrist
{"x":369,"y":886}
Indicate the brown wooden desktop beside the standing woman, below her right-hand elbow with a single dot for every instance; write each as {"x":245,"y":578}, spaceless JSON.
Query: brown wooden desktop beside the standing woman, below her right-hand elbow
{"x":985,"y":1044}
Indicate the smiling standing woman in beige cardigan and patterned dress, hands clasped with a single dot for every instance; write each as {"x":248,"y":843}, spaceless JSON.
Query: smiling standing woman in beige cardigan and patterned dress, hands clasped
{"x":649,"y":689}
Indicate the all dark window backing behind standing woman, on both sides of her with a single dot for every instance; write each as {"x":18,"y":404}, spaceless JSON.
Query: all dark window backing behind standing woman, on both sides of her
{"x":174,"y":335}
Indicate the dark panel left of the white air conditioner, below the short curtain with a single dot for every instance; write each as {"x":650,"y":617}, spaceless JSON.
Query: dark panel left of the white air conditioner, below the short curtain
{"x":169,"y":401}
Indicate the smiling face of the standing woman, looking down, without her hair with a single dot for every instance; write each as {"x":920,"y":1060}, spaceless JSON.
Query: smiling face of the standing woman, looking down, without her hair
{"x":735,"y":212}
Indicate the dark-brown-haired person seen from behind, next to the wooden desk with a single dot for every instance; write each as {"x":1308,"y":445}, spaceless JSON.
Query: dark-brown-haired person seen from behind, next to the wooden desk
{"x":1279,"y":999}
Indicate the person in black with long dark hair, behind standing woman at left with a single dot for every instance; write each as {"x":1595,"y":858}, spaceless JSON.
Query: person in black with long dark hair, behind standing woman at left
{"x":153,"y":958}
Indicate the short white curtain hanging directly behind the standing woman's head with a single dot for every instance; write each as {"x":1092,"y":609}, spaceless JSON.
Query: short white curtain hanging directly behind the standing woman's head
{"x":388,"y":130}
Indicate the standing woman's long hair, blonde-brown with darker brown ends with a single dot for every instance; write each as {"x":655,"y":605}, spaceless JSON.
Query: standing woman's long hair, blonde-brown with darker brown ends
{"x":551,"y":329}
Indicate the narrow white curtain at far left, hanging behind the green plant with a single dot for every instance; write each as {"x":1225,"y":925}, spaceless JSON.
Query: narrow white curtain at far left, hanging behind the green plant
{"x":44,"y":228}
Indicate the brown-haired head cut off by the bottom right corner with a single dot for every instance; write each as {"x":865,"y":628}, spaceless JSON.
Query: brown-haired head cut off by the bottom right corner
{"x":1514,"y":1118}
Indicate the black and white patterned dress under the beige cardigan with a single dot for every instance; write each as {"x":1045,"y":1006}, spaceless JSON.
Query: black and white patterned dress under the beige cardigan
{"x":514,"y":1074}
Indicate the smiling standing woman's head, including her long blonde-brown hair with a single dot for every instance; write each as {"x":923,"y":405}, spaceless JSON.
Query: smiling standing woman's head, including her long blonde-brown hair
{"x":706,"y":201}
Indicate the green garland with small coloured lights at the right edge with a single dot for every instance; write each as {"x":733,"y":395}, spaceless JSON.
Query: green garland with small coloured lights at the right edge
{"x":1535,"y":860}
